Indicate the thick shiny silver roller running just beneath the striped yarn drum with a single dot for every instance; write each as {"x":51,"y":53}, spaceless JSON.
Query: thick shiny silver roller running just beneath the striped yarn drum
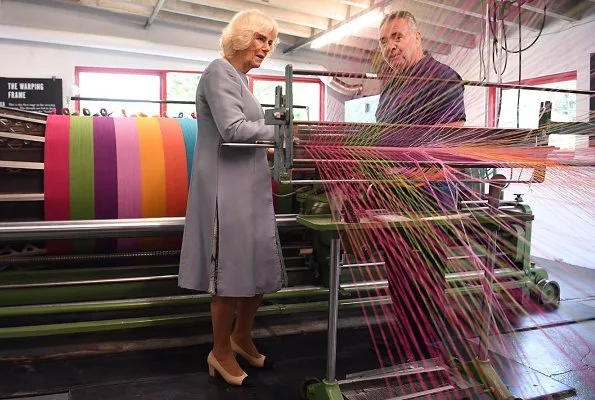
{"x":87,"y":229}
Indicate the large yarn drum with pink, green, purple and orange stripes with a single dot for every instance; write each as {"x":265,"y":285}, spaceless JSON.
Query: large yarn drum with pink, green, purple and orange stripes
{"x":109,"y":168}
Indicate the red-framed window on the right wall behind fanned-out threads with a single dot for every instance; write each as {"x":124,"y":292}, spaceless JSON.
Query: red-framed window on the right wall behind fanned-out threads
{"x":563,"y":104}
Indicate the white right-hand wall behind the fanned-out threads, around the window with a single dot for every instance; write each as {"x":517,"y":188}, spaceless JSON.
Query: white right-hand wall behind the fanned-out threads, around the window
{"x":564,"y":204}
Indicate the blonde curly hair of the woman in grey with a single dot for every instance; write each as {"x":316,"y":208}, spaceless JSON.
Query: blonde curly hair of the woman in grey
{"x":240,"y":31}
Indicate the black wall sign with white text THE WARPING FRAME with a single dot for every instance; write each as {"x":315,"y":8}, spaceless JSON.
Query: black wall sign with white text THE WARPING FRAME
{"x":31,"y":94}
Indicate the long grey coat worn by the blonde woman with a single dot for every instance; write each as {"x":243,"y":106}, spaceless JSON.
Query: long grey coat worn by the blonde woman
{"x":232,"y":186}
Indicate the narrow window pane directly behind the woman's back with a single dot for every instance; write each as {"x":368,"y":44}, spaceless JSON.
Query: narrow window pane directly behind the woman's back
{"x":181,"y":86}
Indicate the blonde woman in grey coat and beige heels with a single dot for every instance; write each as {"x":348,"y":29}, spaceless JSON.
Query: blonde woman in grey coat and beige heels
{"x":231,"y":244}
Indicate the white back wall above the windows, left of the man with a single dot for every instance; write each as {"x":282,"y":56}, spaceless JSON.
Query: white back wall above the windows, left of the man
{"x":43,"y":41}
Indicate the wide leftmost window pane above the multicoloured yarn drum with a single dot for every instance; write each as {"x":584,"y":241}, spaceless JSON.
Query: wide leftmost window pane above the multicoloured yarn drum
{"x":119,"y":84}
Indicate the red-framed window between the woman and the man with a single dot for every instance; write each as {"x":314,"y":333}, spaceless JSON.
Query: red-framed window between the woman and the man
{"x":307,"y":96}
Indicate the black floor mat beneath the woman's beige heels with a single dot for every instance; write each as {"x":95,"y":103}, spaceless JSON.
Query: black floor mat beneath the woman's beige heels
{"x":299,"y":356}
